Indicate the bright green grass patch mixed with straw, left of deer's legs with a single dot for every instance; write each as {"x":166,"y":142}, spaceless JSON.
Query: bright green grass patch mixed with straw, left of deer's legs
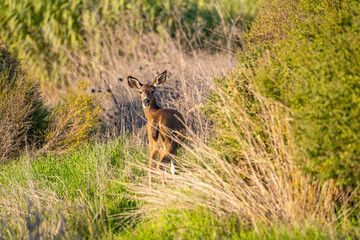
{"x":84,"y":187}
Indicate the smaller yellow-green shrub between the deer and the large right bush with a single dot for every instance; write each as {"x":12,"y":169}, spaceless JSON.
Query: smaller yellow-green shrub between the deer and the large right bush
{"x":241,"y":104}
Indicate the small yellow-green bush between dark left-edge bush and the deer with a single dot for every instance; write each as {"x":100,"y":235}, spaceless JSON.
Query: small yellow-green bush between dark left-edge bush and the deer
{"x":73,"y":120}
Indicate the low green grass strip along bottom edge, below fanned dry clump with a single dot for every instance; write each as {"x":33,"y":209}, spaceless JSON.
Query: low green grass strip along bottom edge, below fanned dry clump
{"x":201,"y":224}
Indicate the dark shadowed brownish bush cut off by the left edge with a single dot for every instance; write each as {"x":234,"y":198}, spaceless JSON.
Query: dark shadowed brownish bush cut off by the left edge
{"x":23,"y":115}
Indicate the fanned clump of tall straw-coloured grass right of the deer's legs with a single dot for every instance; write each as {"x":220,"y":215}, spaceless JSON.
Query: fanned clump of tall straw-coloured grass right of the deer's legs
{"x":263,"y":185}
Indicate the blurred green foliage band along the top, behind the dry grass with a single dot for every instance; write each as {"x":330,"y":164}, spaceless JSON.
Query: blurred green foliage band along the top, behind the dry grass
{"x":43,"y":32}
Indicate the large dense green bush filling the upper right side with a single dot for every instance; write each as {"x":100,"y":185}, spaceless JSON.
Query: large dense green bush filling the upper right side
{"x":311,"y":64}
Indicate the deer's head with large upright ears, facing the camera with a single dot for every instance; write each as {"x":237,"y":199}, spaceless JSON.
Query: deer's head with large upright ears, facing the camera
{"x":147,"y":90}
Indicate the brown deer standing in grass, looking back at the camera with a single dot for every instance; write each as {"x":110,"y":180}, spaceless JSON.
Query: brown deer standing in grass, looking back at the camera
{"x":165,"y":127}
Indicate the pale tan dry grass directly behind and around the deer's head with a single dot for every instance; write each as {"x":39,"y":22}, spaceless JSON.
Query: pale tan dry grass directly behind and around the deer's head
{"x":124,"y":52}
